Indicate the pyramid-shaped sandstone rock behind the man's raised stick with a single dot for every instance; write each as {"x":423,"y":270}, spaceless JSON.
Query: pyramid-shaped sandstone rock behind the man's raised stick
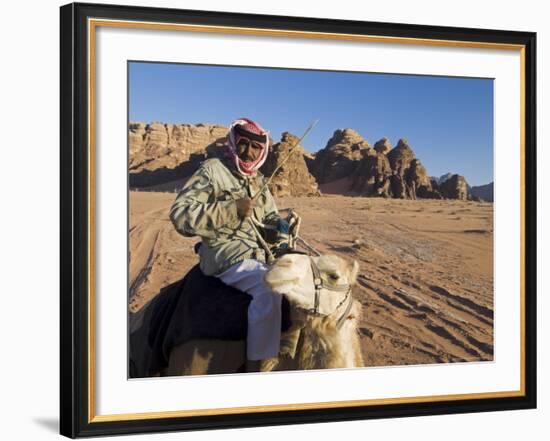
{"x":293,"y":178}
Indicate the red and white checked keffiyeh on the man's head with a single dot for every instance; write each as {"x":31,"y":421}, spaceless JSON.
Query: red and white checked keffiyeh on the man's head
{"x":246,"y":128}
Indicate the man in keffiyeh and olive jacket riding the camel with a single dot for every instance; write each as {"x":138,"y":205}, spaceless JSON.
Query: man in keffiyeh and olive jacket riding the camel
{"x":218,"y":204}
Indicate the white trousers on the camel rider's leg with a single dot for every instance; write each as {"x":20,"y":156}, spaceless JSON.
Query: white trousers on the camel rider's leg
{"x":264,"y":311}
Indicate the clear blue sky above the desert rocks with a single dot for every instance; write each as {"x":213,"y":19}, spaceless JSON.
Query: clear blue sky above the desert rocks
{"x":448,"y":122}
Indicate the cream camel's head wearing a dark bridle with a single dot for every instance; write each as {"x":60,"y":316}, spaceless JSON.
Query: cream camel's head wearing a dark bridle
{"x":292,"y":275}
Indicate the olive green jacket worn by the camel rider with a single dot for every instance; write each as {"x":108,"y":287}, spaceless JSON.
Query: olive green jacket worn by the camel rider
{"x":206,"y":207}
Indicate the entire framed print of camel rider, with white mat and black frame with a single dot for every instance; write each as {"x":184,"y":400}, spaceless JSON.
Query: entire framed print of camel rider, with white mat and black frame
{"x":273,"y":220}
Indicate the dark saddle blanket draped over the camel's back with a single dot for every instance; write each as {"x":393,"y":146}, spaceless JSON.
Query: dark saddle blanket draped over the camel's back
{"x":195,"y":307}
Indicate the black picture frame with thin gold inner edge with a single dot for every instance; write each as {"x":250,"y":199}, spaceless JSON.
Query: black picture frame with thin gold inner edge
{"x":76,"y":417}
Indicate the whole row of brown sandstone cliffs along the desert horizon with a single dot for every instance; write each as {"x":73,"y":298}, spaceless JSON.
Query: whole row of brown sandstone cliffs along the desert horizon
{"x":163,"y":156}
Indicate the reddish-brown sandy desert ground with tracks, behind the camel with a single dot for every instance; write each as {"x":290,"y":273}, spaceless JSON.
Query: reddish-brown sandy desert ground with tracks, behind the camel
{"x":426,"y":280}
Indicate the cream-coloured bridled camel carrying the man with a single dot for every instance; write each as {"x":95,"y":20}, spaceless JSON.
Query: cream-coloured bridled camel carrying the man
{"x":328,"y":336}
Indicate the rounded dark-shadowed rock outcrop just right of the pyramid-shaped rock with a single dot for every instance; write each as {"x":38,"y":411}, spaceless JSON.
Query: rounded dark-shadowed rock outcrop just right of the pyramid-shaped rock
{"x":340,"y":157}
